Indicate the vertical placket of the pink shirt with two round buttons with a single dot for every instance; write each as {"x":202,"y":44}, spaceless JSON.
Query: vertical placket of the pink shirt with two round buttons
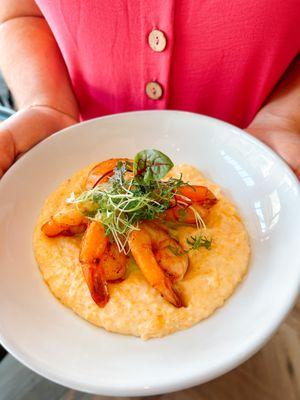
{"x":157,"y":34}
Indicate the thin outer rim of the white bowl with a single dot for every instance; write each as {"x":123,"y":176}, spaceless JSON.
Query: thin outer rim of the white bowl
{"x":250,"y":348}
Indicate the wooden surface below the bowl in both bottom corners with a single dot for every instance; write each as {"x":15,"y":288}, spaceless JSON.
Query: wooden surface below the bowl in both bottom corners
{"x":272,"y":374}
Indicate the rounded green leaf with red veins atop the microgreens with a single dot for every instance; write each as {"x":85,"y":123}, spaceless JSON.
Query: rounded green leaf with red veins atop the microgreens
{"x":151,"y":165}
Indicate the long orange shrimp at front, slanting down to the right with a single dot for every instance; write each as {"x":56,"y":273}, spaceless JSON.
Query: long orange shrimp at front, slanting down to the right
{"x":143,"y":246}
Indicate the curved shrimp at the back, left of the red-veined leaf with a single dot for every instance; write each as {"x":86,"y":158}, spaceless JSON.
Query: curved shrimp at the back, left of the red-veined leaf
{"x":102,"y":172}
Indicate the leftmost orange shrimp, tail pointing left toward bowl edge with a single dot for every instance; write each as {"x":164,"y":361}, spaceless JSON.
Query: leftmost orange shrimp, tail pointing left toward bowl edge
{"x":66,"y":223}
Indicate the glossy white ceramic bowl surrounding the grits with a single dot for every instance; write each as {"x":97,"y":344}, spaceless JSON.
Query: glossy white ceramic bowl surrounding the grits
{"x":51,"y":340}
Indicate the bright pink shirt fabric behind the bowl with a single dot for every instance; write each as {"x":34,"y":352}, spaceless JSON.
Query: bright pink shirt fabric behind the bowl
{"x":223,"y":57}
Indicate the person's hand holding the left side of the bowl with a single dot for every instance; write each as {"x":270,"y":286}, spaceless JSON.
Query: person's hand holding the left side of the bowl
{"x":27,"y":127}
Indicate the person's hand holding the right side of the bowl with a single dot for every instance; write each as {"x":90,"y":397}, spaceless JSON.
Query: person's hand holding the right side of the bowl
{"x":282,"y":135}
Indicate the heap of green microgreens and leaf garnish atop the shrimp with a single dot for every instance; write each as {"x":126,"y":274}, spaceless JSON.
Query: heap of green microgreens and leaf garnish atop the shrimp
{"x":135,"y":192}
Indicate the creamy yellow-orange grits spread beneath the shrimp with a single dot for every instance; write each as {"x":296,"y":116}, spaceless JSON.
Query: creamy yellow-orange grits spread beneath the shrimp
{"x":135,"y":308}
